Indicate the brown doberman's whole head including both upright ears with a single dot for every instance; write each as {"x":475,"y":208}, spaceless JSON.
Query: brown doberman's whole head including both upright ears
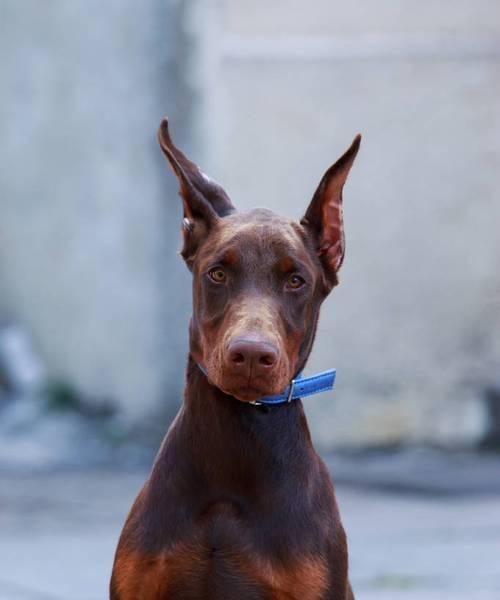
{"x":258,"y":278}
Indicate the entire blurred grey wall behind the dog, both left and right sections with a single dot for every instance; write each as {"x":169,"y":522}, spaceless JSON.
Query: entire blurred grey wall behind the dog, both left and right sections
{"x":264,"y":96}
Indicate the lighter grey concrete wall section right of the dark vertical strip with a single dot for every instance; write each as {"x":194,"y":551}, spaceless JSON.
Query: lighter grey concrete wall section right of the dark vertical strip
{"x":414,"y":327}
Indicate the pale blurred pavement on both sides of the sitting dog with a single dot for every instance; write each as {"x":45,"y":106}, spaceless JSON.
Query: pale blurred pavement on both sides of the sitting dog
{"x":58,"y":531}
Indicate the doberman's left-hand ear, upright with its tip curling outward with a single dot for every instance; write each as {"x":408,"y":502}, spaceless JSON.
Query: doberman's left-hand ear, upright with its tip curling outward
{"x":204,"y":201}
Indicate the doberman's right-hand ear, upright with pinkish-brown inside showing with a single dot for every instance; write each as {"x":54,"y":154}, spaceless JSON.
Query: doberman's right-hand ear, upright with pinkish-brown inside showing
{"x":323,"y":218}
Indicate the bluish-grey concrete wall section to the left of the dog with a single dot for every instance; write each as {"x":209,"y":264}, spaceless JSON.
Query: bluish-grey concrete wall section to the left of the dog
{"x":89,"y":214}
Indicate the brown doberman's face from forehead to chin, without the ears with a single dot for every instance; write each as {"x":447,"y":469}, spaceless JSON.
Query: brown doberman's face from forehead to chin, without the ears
{"x":257,"y":290}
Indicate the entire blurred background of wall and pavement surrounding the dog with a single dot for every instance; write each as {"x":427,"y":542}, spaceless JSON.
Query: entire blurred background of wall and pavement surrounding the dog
{"x":95,"y":301}
